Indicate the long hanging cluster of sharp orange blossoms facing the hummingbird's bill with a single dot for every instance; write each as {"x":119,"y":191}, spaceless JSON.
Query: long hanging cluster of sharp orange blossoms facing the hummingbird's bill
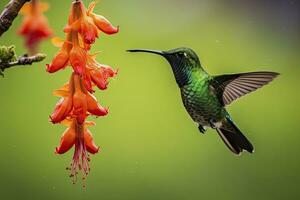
{"x":77,"y":101}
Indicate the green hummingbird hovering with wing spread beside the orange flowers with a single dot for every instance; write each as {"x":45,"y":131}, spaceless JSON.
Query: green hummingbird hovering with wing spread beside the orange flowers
{"x":205,"y":96}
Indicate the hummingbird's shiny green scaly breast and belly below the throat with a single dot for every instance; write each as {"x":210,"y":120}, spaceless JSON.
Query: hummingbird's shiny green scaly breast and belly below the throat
{"x":201,"y":104}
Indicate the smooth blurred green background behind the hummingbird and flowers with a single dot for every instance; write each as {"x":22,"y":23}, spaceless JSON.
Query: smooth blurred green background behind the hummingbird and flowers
{"x":151,"y":149}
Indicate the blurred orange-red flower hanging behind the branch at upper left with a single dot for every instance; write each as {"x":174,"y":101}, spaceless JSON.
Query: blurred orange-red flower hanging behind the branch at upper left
{"x":35,"y":25}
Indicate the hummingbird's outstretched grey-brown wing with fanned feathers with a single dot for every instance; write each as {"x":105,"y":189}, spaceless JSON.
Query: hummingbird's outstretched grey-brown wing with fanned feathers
{"x":230,"y":87}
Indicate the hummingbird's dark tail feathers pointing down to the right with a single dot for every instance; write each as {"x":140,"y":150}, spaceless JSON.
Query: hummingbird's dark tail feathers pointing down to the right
{"x":233,"y":137}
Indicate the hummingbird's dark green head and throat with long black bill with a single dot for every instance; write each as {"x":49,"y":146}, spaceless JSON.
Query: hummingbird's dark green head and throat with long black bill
{"x":182,"y":60}
